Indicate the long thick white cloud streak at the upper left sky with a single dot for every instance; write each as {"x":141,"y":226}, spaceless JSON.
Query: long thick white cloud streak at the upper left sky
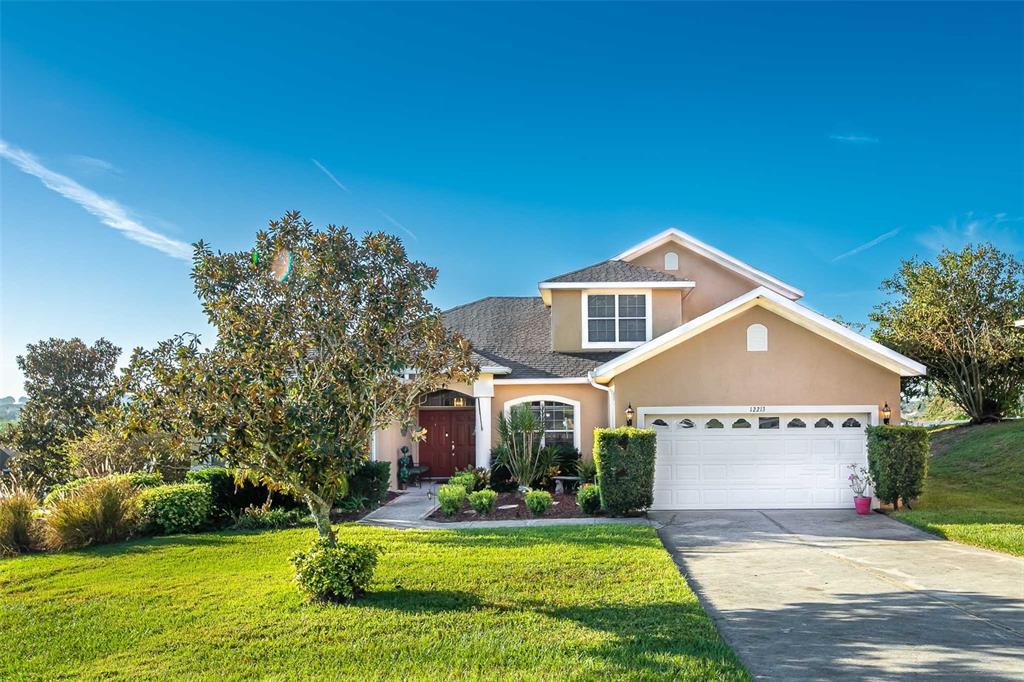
{"x":110,"y":212}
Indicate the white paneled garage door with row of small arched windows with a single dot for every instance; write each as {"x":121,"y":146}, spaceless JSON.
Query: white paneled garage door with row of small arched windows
{"x":757,"y":461}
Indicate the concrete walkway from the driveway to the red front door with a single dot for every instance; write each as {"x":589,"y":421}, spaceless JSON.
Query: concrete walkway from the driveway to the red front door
{"x":411,"y":509}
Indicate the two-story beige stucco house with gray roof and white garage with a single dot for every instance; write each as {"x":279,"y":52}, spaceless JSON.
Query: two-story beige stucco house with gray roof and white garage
{"x":758,"y":401}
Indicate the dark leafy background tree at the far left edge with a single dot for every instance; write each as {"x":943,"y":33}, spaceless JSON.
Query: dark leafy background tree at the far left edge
{"x":68,"y":383}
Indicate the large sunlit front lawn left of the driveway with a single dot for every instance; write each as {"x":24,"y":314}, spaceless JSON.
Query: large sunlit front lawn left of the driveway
{"x":576,"y":603}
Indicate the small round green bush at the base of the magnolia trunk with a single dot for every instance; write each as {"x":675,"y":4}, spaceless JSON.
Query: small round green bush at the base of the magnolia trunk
{"x":334,"y":574}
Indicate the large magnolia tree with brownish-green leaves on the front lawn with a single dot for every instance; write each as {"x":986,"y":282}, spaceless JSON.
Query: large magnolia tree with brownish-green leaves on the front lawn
{"x":322,"y":339}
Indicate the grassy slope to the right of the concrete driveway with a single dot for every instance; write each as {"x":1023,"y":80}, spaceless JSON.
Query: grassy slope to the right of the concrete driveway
{"x":974,"y":493}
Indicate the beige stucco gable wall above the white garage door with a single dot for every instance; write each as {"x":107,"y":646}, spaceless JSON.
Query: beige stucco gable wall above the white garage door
{"x":715,"y":369}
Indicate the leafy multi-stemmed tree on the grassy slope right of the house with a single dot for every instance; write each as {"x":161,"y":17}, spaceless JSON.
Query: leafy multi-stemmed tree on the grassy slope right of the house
{"x":957,"y":317}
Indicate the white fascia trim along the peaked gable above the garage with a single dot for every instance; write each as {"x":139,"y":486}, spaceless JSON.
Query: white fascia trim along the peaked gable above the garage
{"x":782,"y":307}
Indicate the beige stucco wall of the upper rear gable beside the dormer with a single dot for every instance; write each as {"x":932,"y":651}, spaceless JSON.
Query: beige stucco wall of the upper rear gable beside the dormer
{"x":715,"y":285}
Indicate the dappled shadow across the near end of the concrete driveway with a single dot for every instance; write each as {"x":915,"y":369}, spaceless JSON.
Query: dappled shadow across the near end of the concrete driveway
{"x":935,"y":635}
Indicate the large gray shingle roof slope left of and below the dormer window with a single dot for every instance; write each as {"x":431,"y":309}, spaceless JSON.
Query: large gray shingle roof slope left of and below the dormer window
{"x":516,"y":332}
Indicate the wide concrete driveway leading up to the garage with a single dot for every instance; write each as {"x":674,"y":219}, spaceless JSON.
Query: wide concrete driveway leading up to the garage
{"x":827,"y":595}
